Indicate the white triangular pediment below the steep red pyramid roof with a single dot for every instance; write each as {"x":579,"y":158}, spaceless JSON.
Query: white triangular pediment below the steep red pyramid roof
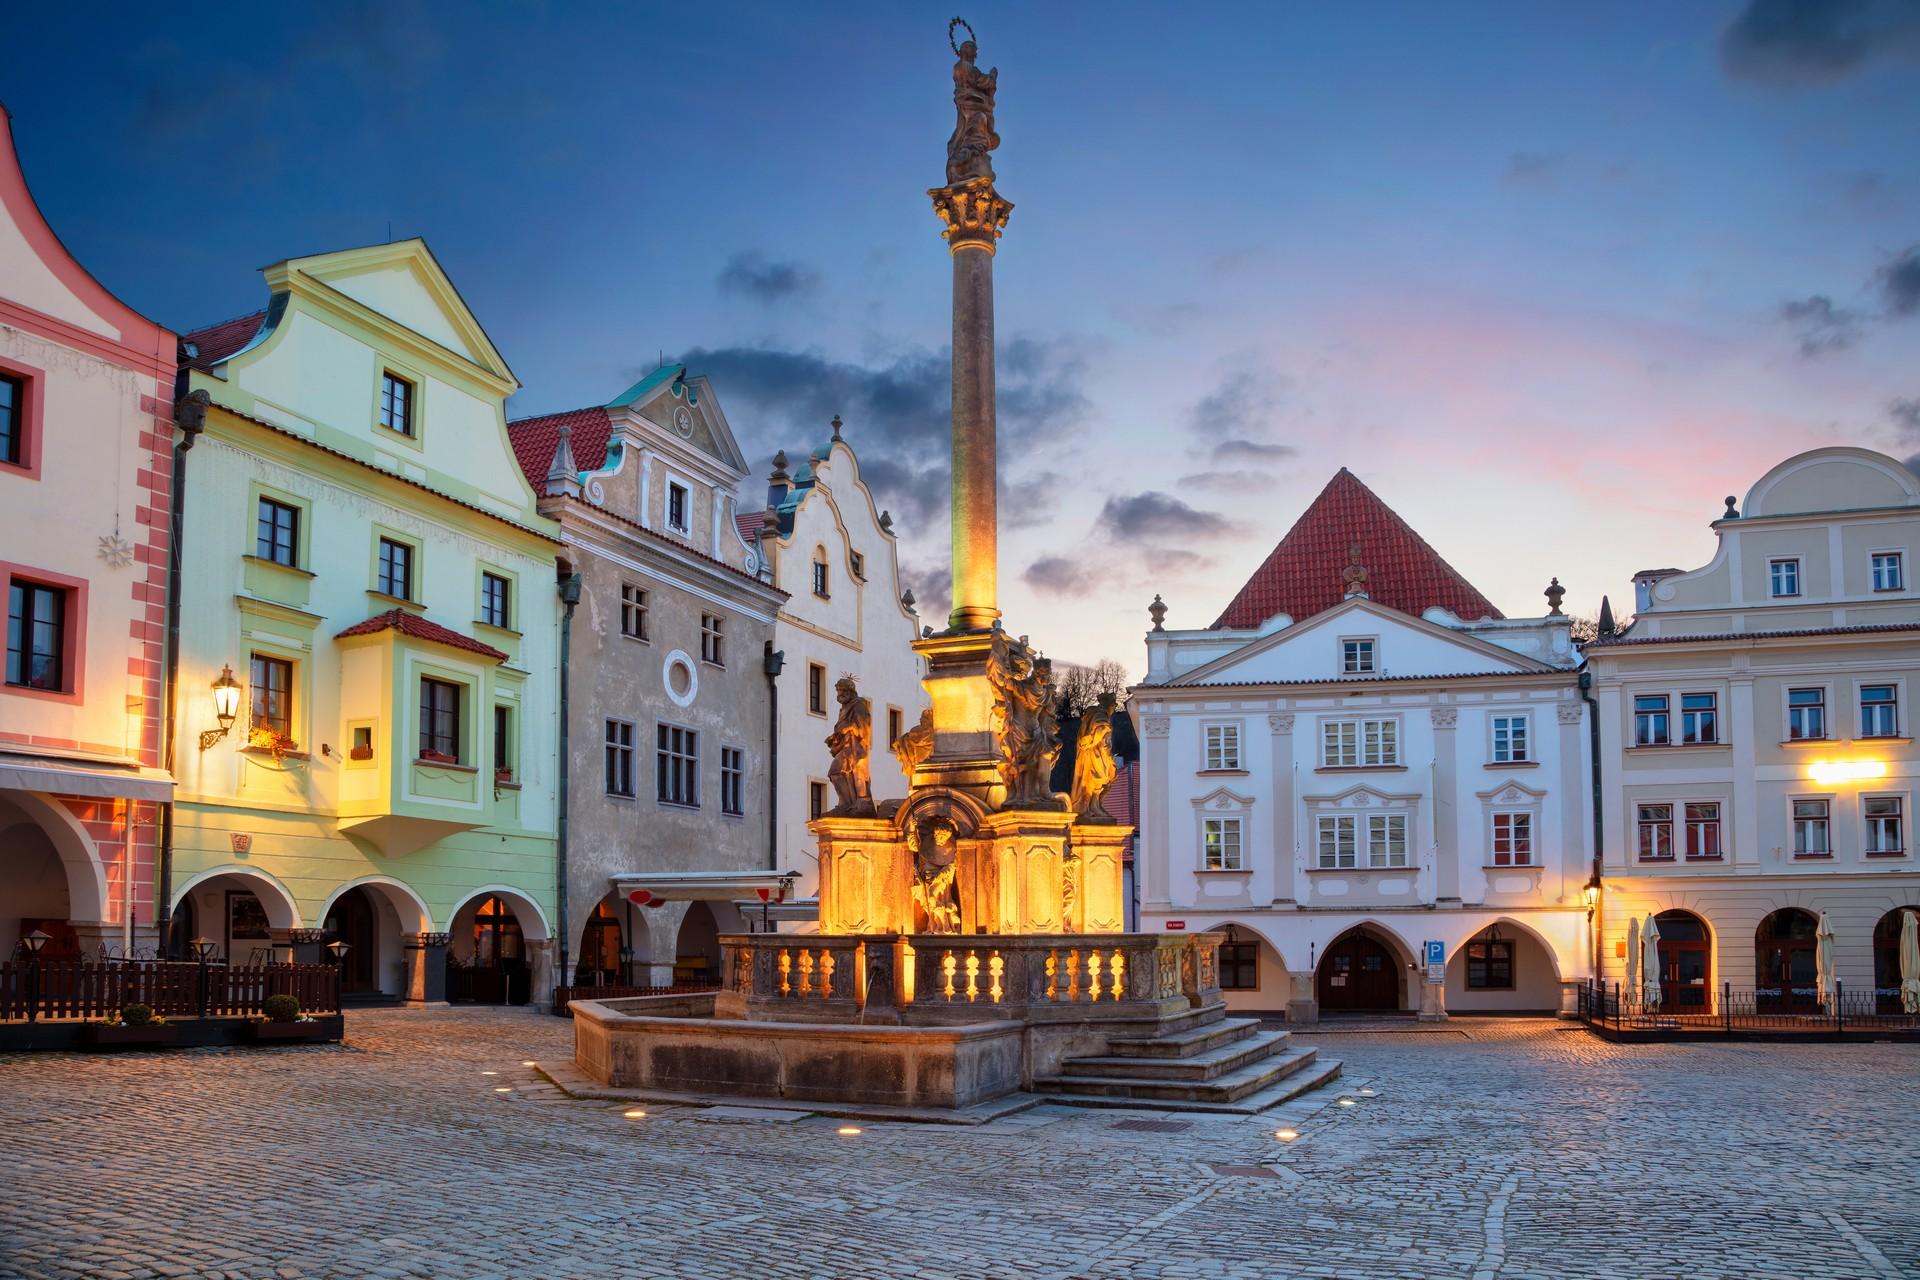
{"x":1403,"y":648}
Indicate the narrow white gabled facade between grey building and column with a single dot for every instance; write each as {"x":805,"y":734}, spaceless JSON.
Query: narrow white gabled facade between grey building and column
{"x":836,"y":556}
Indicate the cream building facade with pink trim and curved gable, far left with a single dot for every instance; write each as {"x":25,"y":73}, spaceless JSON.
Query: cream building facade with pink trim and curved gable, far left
{"x":85,"y":481}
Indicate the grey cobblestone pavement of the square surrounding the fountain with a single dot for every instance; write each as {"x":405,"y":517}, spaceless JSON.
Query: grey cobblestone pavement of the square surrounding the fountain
{"x":427,"y":1149}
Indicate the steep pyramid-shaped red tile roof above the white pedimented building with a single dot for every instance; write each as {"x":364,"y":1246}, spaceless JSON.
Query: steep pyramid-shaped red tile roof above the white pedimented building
{"x":1303,"y":575}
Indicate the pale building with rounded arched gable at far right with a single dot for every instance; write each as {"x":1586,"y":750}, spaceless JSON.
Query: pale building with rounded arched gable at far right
{"x":1758,"y":744}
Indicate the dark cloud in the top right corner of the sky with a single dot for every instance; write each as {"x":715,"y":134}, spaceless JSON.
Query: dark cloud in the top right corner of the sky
{"x":1800,"y":43}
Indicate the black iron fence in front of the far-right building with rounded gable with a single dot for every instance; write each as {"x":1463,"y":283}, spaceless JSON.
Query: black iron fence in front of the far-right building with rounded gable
{"x":1746,"y":1010}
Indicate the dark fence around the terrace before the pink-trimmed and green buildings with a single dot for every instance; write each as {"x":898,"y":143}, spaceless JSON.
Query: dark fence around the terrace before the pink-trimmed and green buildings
{"x":87,"y":989}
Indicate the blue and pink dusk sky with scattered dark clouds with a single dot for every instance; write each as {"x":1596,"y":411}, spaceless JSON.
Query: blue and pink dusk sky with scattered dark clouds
{"x":1550,"y":279}
